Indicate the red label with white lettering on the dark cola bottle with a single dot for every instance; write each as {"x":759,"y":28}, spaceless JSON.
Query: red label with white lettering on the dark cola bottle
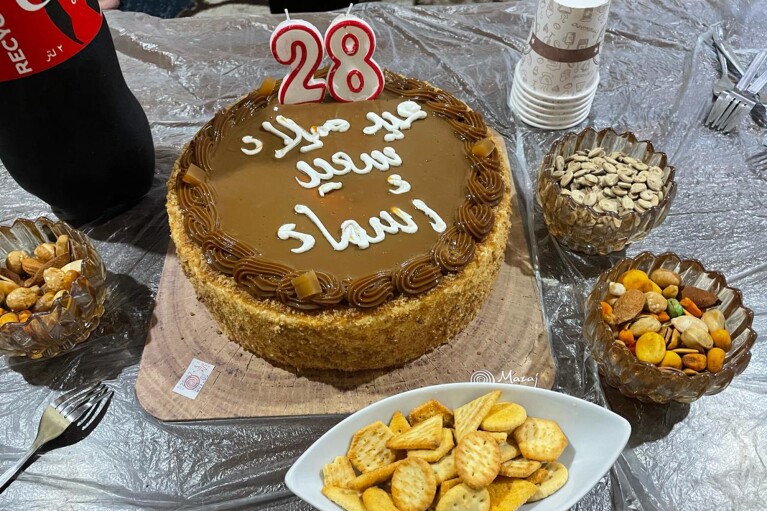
{"x":36,"y":35}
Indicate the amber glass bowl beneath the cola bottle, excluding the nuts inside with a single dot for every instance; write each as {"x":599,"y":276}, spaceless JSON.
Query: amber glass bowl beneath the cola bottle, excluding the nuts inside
{"x":73,"y":316}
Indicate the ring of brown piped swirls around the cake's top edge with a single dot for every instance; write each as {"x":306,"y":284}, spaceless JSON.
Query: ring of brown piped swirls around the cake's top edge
{"x":264,"y":278}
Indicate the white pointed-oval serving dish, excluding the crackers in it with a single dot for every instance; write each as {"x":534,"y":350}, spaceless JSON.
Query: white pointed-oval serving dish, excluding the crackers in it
{"x":596,"y":437}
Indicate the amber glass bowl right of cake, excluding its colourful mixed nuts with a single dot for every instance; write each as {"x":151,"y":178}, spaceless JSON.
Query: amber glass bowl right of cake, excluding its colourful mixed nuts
{"x":646,"y":382}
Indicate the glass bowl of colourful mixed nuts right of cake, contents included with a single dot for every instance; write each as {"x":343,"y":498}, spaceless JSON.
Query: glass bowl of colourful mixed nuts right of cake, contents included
{"x":662,"y":328}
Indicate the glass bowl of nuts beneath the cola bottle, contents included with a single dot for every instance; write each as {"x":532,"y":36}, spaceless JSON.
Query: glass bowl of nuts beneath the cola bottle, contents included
{"x":52,"y":288}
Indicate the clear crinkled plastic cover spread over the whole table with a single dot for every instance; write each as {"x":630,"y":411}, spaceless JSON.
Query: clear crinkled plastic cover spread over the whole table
{"x":656,"y":76}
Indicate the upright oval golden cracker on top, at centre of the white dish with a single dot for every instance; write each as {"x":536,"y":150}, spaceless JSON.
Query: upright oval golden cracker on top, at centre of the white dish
{"x":477,"y":459}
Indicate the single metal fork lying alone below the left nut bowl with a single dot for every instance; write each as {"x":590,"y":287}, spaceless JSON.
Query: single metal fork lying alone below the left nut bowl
{"x":79,"y":407}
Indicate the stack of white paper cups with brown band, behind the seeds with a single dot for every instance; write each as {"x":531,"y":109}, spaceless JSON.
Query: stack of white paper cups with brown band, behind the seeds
{"x":556,"y":79}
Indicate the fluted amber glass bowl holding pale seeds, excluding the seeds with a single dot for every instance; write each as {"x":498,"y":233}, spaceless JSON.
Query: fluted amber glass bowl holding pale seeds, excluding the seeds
{"x":580,"y":227}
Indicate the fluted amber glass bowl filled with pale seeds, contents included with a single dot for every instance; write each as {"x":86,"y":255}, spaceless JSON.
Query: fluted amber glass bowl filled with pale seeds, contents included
{"x":600,"y":191}
